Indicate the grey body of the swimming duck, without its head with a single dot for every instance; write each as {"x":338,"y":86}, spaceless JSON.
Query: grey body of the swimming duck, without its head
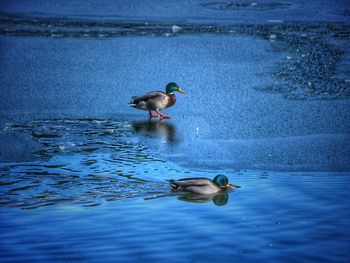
{"x":195,"y":185}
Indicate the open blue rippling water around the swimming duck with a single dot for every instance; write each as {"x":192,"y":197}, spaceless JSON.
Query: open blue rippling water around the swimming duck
{"x":95,"y":190}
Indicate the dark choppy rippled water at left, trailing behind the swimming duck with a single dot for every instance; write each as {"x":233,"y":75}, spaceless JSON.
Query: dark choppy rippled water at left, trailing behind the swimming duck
{"x":87,"y":162}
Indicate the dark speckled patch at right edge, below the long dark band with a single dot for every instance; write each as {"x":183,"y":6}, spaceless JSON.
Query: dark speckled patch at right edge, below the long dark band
{"x":310,"y":72}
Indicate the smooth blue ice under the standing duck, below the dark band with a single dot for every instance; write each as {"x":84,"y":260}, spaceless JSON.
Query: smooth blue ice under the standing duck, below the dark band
{"x":238,"y":126}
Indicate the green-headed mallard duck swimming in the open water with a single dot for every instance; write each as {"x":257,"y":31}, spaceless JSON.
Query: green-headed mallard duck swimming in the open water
{"x":202,"y":185}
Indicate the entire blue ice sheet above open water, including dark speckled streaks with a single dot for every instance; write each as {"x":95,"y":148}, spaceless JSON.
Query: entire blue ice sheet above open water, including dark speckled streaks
{"x":267,"y":84}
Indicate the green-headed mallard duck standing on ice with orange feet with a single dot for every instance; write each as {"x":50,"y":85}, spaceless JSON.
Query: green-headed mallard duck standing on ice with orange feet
{"x":157,"y":100}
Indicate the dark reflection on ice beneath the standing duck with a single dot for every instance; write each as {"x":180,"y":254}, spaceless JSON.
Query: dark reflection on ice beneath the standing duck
{"x":157,"y":129}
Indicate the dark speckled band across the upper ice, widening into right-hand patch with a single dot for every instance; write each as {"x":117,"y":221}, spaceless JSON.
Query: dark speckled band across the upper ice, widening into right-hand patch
{"x":310,"y":71}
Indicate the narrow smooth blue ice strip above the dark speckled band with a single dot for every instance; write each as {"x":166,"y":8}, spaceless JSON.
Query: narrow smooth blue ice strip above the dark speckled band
{"x":193,"y":10}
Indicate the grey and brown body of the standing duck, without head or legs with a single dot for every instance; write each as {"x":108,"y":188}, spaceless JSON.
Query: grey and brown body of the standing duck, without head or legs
{"x":153,"y":101}
